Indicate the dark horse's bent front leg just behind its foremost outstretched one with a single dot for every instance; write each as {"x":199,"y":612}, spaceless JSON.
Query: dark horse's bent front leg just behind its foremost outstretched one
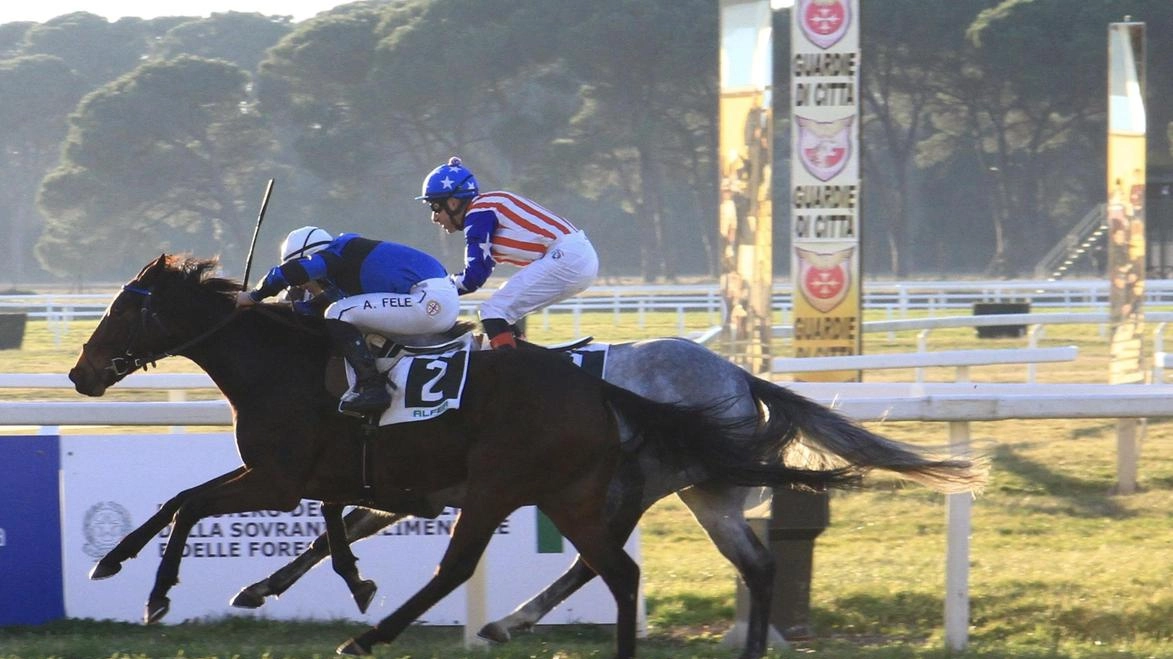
{"x":248,"y":492}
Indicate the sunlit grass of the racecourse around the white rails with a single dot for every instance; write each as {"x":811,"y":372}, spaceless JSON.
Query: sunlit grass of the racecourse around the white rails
{"x":1060,"y":569}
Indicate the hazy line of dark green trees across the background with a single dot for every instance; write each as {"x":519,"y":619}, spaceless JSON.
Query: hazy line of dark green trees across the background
{"x":984,"y":135}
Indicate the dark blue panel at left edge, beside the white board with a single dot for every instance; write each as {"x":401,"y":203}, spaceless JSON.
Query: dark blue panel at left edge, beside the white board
{"x":30,"y":532}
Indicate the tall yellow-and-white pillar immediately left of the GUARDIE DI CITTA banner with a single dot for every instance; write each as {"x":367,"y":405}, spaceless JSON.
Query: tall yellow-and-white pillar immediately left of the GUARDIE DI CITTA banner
{"x":747,"y":153}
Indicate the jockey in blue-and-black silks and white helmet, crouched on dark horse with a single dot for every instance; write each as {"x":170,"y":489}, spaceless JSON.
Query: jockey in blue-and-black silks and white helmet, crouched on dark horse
{"x":371,"y":287}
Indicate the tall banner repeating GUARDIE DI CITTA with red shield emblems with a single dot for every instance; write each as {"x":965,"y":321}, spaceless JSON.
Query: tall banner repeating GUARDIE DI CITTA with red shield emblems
{"x":825,"y":179}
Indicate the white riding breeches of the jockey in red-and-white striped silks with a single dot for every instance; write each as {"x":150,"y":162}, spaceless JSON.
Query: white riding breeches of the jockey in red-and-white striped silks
{"x":568,"y":268}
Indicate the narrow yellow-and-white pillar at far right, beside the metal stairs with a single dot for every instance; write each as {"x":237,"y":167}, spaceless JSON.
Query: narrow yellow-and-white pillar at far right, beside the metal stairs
{"x":1127,"y":200}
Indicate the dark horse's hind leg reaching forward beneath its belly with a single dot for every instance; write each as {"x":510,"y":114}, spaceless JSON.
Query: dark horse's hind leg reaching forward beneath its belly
{"x":471,"y":535}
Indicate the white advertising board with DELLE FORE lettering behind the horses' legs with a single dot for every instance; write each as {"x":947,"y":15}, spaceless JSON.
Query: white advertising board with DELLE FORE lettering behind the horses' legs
{"x":111,"y":485}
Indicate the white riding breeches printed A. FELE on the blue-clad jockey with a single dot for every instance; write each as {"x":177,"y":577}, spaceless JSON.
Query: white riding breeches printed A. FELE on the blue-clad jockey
{"x":432,"y":307}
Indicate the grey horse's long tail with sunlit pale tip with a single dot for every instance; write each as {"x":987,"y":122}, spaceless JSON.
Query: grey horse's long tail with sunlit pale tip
{"x":828,"y":438}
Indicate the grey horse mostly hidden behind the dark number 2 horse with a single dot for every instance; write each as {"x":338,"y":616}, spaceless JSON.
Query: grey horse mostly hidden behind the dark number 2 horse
{"x":682,"y":371}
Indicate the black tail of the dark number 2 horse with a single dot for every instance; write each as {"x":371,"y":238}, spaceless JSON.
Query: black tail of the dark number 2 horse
{"x":707,"y":444}
